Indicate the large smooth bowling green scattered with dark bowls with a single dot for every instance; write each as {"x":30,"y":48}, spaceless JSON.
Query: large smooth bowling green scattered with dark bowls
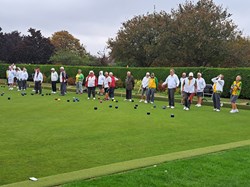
{"x":41,"y":136}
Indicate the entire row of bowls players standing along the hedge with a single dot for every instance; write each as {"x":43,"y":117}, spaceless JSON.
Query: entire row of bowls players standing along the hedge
{"x":106,"y":82}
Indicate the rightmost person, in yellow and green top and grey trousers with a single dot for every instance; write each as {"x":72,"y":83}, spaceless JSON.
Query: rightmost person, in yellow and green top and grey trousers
{"x":235,"y":92}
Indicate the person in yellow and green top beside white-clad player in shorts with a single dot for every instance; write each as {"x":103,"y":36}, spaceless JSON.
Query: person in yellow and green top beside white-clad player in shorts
{"x":152,"y":85}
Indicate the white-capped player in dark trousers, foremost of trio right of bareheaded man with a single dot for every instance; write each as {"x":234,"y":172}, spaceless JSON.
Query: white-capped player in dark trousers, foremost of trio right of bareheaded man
{"x":189,"y":88}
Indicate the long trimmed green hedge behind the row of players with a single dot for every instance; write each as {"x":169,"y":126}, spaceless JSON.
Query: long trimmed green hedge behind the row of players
{"x":161,"y":73}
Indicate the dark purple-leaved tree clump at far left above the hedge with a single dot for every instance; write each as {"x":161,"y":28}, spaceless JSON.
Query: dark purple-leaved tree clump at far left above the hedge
{"x":34,"y":48}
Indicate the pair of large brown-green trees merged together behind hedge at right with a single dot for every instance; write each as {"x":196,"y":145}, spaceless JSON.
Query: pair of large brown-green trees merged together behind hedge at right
{"x":192,"y":35}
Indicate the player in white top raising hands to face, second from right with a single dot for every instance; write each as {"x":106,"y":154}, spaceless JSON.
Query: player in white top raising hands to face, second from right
{"x":217,"y":90}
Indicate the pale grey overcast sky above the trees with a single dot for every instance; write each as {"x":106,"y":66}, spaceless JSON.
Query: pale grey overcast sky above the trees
{"x":94,"y":21}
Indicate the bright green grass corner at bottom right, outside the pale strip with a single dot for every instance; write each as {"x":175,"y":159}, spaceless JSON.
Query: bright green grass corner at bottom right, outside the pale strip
{"x":229,"y":168}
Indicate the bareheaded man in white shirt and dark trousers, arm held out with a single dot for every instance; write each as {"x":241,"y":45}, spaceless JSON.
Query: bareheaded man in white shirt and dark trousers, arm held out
{"x":172,"y":82}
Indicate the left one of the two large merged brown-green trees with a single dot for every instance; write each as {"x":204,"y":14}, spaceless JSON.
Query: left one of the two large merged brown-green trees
{"x":136,"y":41}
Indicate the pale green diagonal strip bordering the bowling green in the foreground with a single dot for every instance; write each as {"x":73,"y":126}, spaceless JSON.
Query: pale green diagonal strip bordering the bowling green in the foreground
{"x":124,"y":166}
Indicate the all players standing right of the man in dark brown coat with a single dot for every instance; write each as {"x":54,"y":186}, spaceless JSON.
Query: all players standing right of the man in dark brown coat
{"x":189,"y":87}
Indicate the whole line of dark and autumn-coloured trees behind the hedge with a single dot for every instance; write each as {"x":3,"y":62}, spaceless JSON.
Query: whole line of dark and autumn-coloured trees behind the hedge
{"x":194,"y":34}
